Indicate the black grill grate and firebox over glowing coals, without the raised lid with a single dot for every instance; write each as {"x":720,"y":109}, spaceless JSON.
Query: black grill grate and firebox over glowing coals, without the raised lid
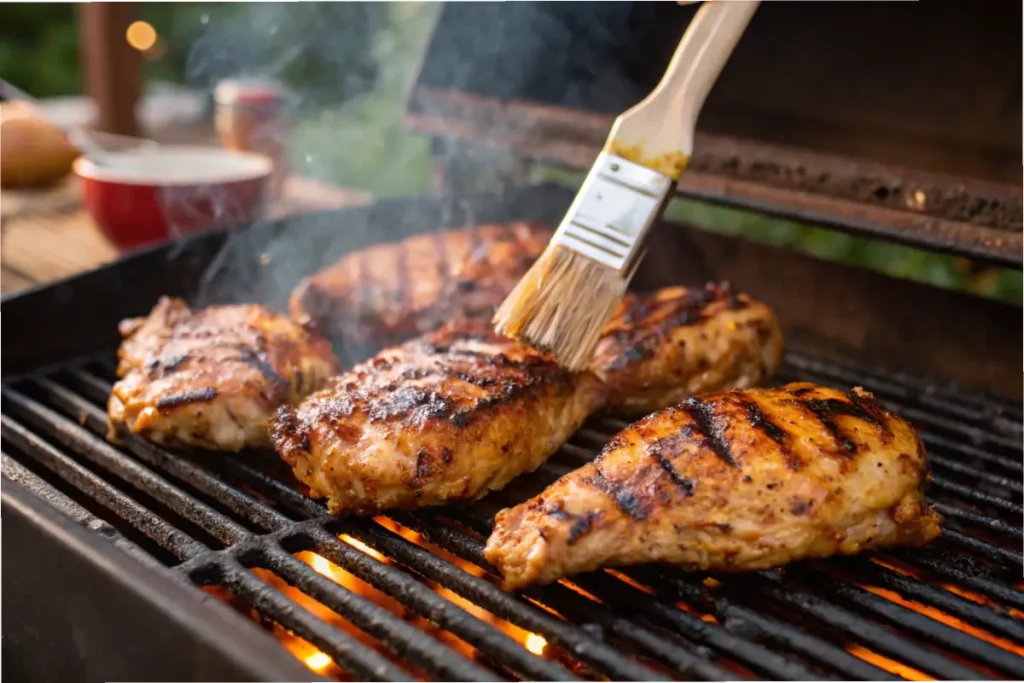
{"x":132,"y":561}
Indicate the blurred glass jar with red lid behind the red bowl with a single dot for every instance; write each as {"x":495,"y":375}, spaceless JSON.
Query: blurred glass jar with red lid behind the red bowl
{"x":253,"y":116}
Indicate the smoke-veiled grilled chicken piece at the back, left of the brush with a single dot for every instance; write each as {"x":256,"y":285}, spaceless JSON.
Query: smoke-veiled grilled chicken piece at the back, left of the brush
{"x":388,"y":294}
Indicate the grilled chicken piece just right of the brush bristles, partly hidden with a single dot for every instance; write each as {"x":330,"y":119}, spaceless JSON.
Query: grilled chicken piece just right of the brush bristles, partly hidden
{"x":663,"y":348}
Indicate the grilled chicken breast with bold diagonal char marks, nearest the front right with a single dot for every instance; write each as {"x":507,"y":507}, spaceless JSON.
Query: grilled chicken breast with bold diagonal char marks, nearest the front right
{"x":732,"y":482}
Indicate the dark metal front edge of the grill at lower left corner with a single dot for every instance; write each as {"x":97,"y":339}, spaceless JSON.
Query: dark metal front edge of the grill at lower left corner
{"x":65,"y":545}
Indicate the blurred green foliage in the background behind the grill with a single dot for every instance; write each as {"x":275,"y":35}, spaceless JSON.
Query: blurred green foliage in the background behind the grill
{"x":351,"y":62}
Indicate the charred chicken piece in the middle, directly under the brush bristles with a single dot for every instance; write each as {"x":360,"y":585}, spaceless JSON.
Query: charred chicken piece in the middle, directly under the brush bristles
{"x":445,"y":418}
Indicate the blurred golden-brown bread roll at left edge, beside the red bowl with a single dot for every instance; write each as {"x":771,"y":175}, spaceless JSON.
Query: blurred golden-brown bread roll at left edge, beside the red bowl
{"x":33,"y":152}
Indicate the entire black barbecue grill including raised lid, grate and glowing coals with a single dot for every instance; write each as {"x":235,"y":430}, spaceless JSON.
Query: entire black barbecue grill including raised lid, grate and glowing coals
{"x":124,"y":563}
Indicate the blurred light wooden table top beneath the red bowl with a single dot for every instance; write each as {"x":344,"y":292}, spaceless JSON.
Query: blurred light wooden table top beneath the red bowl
{"x":47,"y":236}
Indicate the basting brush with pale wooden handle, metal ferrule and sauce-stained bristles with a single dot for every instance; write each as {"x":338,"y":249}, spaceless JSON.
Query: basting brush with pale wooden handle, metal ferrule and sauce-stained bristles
{"x":566,"y":300}
